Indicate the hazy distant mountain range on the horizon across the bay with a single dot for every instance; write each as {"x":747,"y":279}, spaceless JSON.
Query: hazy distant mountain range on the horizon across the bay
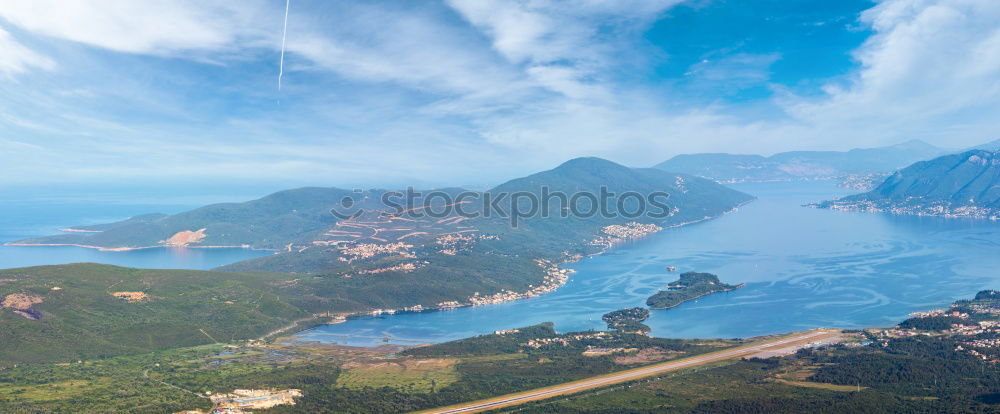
{"x":801,"y":165}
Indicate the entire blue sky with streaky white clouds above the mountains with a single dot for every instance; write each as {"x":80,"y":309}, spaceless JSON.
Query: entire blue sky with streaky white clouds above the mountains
{"x":473,"y":92}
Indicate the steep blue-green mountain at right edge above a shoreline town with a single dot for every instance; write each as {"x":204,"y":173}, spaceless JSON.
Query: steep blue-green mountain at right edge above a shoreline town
{"x":957,"y":185}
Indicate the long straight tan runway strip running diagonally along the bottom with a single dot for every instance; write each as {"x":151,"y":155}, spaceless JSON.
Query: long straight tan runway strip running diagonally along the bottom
{"x":633,"y":374}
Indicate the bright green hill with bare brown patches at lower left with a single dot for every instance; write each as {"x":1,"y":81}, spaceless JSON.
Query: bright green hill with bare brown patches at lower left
{"x":78,"y":318}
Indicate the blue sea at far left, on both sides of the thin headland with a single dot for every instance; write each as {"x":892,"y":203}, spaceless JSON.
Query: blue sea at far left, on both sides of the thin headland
{"x":32,"y":217}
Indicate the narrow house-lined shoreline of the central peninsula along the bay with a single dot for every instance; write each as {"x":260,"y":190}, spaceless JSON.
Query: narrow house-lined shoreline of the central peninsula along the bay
{"x":346,"y":316}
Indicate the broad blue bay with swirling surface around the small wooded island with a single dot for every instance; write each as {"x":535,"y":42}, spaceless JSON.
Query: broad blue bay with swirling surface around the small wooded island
{"x":804,"y":268}
